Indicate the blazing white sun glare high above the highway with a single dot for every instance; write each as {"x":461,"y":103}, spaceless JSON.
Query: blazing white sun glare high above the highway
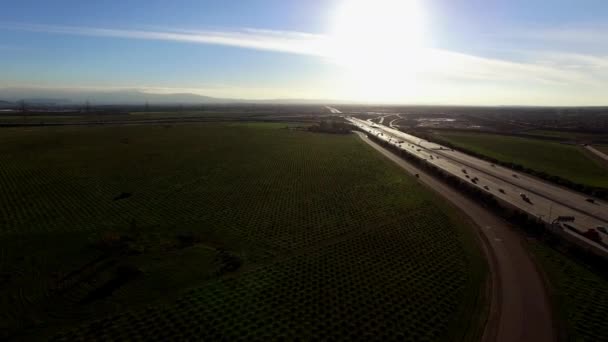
{"x":379,"y":43}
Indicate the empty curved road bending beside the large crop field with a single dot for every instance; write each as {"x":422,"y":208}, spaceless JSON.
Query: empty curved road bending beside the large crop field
{"x":520,"y":309}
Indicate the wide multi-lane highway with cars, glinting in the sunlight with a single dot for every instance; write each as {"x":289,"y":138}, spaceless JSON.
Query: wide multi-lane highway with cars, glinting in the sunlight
{"x":546,"y":201}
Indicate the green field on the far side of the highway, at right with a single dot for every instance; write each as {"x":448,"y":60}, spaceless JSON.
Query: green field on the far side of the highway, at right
{"x":566,"y":161}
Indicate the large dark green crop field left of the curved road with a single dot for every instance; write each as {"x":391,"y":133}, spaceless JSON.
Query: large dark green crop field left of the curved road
{"x":218,"y":231}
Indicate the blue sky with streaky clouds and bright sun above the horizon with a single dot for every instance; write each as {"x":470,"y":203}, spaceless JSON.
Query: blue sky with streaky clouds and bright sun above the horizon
{"x":463,"y":52}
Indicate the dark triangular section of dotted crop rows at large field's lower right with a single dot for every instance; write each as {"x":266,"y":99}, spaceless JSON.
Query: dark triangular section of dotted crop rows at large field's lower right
{"x":400,"y":282}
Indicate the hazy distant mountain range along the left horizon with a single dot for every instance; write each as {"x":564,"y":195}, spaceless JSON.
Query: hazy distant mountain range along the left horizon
{"x":52,"y":97}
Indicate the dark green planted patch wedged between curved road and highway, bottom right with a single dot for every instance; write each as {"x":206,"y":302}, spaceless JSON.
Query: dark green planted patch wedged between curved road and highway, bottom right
{"x":580,"y":294}
